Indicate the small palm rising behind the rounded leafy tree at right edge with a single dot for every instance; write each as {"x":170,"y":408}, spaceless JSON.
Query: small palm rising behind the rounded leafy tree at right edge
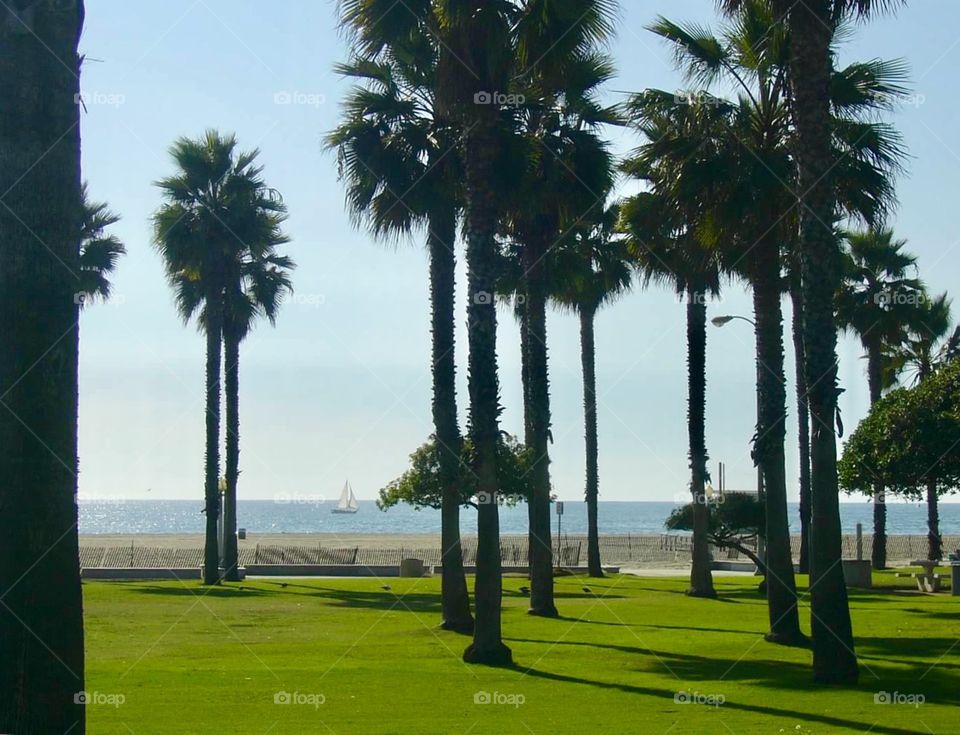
{"x":930,"y":345}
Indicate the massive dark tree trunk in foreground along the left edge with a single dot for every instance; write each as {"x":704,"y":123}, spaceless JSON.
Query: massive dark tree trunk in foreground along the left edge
{"x":41,"y":615}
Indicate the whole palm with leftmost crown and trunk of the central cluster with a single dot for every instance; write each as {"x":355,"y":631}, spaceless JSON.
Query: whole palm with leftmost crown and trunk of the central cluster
{"x":401,"y":165}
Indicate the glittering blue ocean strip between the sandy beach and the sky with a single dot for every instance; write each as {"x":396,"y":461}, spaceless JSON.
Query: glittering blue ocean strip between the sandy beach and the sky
{"x":308,"y":515}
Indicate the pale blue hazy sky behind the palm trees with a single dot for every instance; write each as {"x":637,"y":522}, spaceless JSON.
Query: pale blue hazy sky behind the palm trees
{"x":341,"y":387}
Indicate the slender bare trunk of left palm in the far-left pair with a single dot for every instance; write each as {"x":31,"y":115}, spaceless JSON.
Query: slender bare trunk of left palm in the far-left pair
{"x":211,"y":488}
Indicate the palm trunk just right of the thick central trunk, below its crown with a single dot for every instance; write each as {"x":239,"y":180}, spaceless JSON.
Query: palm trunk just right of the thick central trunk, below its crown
{"x":537,"y":414}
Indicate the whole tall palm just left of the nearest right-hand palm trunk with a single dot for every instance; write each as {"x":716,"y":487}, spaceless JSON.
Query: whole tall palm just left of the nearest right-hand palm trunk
{"x":752,"y":55}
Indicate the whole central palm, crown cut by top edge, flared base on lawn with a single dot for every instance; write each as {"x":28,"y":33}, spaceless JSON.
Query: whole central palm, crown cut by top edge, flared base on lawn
{"x":475,"y":61}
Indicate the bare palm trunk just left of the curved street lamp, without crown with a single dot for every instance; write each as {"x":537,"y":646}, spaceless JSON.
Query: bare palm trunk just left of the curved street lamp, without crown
{"x":701,"y":579}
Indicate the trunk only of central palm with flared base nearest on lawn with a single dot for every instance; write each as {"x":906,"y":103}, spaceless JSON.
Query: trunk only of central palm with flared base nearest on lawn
{"x":480,"y":157}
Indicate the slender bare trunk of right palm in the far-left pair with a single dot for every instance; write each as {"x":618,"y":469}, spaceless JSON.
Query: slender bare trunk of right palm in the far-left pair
{"x":231,"y":380}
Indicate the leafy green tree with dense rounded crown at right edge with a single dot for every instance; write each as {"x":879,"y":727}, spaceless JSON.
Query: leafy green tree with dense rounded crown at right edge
{"x":907,"y":444}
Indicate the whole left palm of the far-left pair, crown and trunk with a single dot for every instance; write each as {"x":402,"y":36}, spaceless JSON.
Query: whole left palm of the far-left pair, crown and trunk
{"x":217,"y":211}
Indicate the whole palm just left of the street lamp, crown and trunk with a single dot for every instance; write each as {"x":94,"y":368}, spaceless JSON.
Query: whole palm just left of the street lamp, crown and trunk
{"x":667,"y":247}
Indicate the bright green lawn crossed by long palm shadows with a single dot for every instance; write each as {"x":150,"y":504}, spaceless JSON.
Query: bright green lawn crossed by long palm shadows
{"x":187,"y":659}
